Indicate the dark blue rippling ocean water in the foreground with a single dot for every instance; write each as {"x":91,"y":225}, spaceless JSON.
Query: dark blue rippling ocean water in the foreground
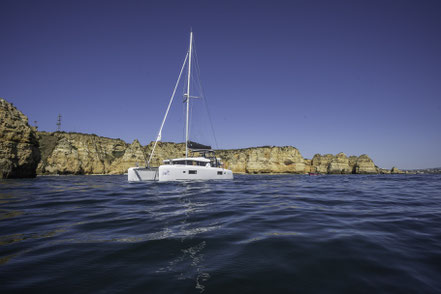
{"x":255,"y":234}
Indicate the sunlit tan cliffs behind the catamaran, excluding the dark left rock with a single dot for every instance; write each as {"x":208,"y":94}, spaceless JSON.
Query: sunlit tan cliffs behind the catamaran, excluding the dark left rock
{"x":75,"y":153}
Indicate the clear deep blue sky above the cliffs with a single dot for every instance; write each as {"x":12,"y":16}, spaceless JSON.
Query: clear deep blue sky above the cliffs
{"x":324,"y":76}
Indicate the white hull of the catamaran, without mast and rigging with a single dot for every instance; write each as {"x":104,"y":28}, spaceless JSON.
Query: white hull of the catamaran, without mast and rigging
{"x":178,"y":173}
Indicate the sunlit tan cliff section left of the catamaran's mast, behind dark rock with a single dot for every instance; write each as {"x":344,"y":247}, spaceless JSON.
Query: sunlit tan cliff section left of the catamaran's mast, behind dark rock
{"x":77,"y":154}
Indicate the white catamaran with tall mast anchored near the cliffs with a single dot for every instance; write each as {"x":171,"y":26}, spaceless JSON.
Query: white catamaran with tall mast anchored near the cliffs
{"x":203,"y":165}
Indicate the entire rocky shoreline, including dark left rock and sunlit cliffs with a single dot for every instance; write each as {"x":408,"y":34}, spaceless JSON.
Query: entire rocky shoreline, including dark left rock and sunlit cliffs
{"x":26,"y":152}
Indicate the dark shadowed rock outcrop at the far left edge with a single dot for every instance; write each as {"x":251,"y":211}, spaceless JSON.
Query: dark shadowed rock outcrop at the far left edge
{"x":19,"y":153}
